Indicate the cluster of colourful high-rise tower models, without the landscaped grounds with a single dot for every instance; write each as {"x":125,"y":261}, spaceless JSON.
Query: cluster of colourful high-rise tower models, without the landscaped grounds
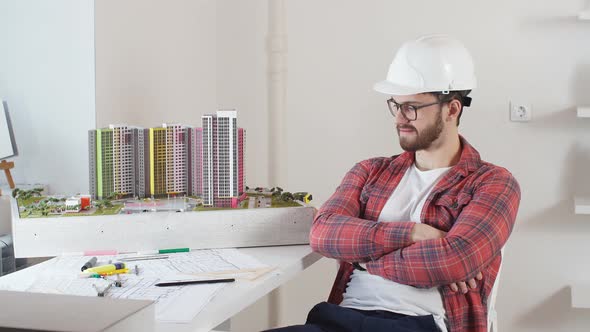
{"x":172,"y":160}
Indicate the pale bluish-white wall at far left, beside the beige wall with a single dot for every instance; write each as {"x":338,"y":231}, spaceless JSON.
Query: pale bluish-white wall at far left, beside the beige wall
{"x":47,"y":78}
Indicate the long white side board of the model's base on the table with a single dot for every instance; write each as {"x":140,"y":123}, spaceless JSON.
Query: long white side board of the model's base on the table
{"x":43,"y":237}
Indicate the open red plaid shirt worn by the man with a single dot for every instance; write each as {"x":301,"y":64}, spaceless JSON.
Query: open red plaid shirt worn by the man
{"x":475,"y":202}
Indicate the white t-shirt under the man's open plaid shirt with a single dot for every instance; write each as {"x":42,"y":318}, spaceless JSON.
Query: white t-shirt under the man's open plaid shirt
{"x":372,"y":292}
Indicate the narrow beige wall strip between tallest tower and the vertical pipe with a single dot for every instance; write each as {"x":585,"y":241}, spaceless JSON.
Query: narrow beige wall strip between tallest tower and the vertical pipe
{"x":242,"y":77}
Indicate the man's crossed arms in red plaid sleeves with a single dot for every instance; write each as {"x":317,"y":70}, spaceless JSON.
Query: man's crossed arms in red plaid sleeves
{"x":414,"y":254}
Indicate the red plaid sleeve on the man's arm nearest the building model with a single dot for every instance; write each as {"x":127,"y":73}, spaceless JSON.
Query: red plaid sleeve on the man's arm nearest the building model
{"x":339,"y":230}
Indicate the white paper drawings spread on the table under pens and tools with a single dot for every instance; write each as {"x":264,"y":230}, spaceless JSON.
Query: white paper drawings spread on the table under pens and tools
{"x":173,"y":304}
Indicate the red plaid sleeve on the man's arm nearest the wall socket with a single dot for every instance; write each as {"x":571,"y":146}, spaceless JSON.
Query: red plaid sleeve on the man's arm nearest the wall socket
{"x":477,"y":236}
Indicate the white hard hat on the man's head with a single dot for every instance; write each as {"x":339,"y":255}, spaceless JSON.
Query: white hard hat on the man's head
{"x":429,"y":64}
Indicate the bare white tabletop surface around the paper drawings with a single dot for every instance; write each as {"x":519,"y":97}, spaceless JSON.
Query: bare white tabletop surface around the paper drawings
{"x":233,"y":298}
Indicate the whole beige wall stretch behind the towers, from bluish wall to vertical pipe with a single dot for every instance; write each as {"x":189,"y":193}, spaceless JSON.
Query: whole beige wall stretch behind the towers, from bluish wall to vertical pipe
{"x":173,"y":61}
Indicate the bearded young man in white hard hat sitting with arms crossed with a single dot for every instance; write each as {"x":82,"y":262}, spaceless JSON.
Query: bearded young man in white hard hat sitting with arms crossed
{"x":419,"y":235}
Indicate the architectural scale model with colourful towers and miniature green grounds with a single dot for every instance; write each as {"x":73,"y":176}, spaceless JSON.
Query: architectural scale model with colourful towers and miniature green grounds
{"x":172,"y":168}
